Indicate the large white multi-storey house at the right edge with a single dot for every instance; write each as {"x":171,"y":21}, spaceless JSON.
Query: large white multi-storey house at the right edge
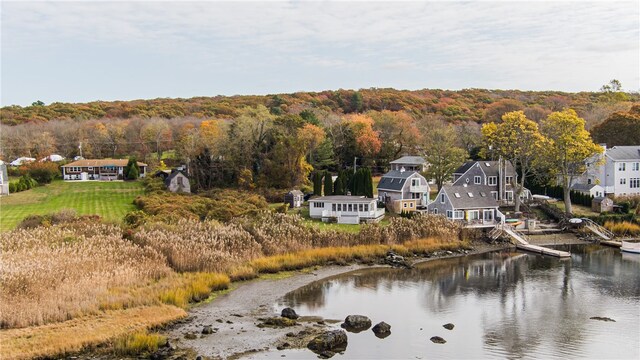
{"x":617,"y":170}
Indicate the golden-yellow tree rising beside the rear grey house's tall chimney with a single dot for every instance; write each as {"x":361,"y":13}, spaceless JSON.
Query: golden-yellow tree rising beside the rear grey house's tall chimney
{"x":516,"y":139}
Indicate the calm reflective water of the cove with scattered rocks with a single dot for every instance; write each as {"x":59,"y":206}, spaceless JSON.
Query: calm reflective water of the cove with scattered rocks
{"x":503,"y":305}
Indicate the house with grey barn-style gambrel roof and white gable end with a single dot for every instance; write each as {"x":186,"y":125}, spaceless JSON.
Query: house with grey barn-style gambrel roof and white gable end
{"x":402,"y":190}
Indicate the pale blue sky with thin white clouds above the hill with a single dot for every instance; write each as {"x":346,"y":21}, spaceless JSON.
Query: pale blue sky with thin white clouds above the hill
{"x":120,"y":50}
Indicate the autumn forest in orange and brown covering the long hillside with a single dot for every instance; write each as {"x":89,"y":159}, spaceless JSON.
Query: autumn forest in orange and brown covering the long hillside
{"x":275,"y":141}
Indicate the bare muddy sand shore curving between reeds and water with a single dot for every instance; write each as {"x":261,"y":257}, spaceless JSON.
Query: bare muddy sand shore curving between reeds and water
{"x":234,"y":316}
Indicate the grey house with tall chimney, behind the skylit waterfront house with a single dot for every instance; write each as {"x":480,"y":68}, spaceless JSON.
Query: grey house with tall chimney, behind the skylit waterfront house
{"x":500,"y":176}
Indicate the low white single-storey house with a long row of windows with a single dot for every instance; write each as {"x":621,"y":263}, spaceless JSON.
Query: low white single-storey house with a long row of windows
{"x":345,"y":209}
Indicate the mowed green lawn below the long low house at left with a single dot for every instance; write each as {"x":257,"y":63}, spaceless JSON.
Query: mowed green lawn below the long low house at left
{"x":110,"y":200}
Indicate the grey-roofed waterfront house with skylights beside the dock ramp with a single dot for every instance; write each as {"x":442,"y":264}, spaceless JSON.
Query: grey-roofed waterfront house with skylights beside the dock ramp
{"x":471,"y":204}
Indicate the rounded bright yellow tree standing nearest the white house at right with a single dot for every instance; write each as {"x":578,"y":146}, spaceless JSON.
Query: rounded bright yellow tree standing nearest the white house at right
{"x":568,"y":148}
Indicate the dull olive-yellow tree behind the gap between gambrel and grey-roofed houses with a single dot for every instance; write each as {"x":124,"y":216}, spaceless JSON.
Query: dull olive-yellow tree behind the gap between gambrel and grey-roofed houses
{"x":441,"y":152}
